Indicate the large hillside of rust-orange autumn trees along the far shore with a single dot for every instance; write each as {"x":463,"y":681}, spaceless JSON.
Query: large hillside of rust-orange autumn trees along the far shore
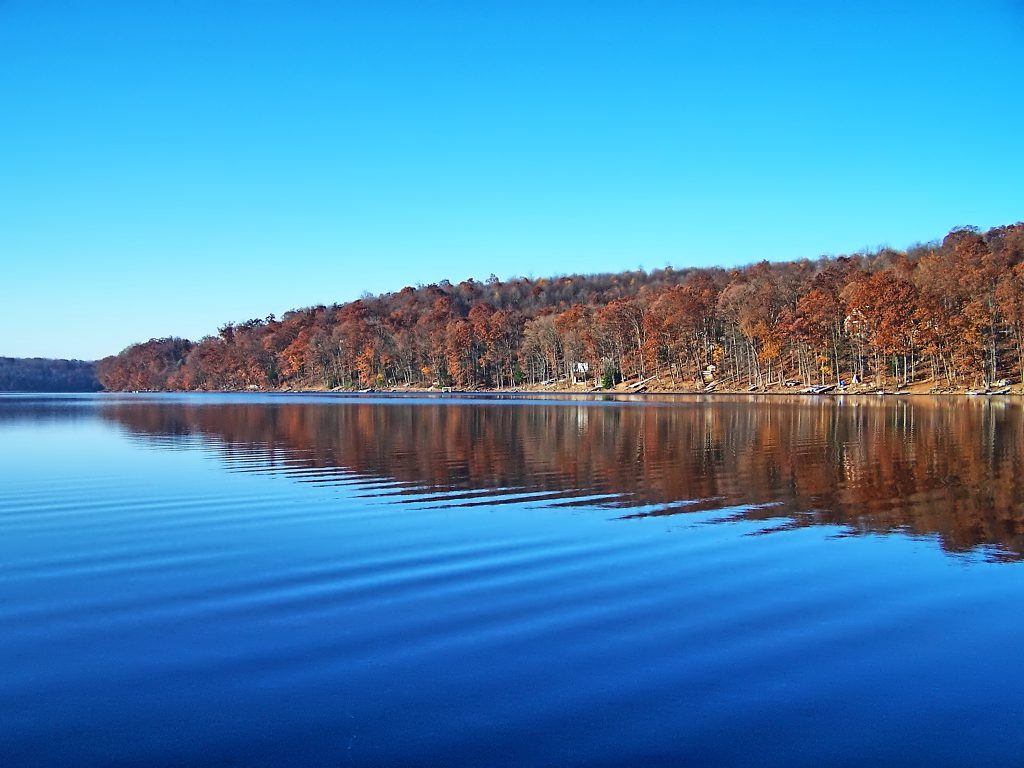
{"x":950,"y":313}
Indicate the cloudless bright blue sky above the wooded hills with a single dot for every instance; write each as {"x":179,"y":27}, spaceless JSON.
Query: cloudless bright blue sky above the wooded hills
{"x":166,"y":167}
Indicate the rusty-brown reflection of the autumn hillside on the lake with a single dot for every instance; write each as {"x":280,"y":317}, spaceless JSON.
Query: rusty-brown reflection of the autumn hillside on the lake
{"x":949,"y":468}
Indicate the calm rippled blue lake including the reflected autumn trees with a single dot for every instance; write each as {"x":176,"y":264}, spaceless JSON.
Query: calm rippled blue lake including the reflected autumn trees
{"x":233,"y":580}
